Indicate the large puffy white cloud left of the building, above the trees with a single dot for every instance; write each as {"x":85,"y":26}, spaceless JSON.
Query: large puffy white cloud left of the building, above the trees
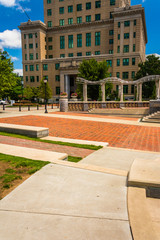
{"x":10,"y":39}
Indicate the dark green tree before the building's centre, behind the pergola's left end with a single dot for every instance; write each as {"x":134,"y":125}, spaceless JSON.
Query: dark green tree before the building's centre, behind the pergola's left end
{"x":92,"y":71}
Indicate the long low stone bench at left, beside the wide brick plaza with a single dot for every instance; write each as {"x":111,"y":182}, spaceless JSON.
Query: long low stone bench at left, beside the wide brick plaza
{"x":30,"y":131}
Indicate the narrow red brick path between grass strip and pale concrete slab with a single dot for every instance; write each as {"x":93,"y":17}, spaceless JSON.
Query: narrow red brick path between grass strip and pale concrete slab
{"x":71,"y":151}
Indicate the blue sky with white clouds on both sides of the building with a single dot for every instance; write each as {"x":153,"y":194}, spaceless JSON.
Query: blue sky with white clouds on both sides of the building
{"x":12,"y":15}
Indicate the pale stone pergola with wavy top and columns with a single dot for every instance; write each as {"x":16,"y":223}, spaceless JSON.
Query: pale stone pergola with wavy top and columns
{"x":120,"y":82}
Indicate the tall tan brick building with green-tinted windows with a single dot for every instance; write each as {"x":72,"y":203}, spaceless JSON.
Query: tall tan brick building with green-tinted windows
{"x":110,"y":30}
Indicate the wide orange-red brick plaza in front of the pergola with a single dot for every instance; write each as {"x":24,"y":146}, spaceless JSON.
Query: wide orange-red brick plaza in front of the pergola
{"x":117,"y":135}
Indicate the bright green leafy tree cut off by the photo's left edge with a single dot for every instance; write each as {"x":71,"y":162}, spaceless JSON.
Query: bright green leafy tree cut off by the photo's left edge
{"x":8,"y":79}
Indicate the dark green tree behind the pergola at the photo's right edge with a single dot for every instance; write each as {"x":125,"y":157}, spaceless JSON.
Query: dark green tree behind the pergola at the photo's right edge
{"x":150,"y":67}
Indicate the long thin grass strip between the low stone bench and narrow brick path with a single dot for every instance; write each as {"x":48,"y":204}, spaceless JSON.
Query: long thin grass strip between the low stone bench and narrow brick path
{"x":85,"y":146}
